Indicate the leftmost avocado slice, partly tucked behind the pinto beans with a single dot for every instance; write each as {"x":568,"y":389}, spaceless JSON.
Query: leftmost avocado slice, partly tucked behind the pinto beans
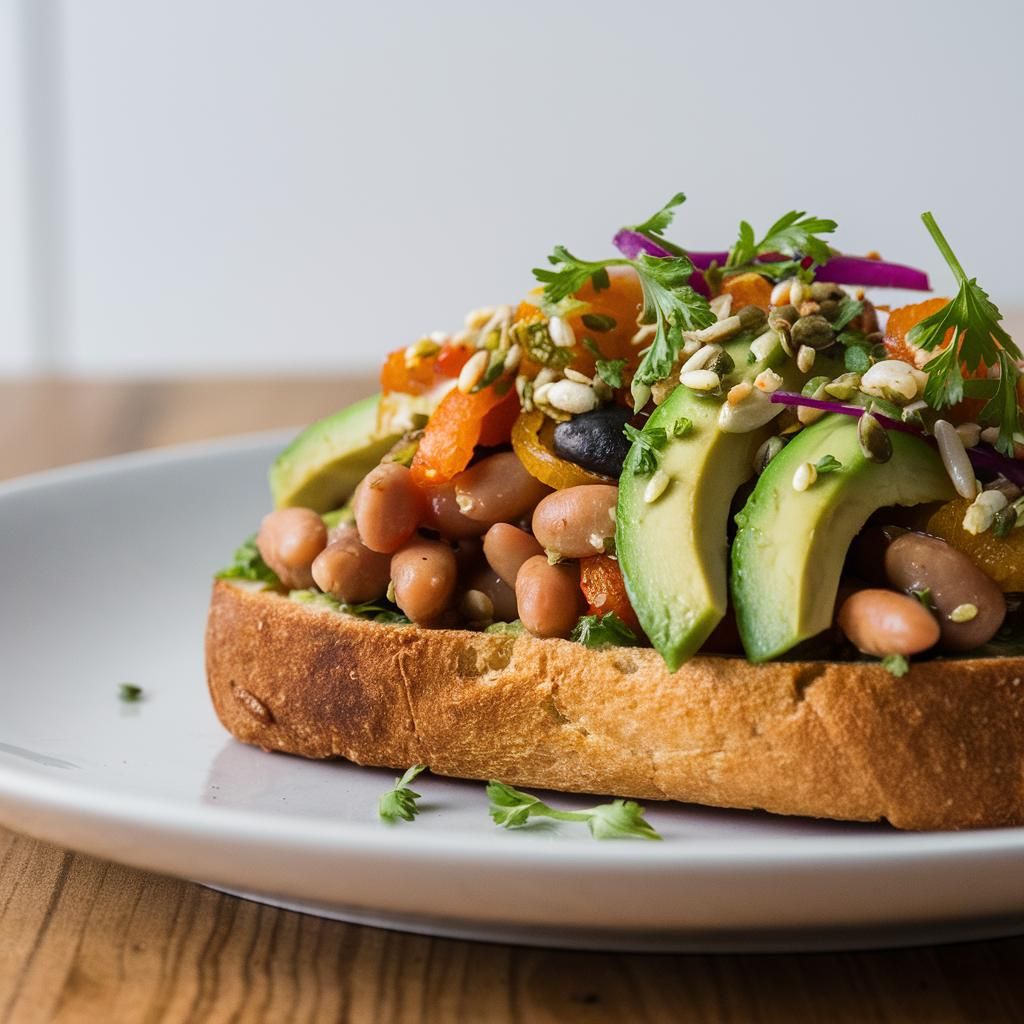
{"x":321,"y":468}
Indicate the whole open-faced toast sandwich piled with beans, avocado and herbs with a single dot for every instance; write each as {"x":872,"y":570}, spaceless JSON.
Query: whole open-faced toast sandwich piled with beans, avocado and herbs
{"x":700,"y":527}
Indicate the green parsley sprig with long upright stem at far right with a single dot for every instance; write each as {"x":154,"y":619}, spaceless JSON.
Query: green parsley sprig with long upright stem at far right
{"x":978,"y":340}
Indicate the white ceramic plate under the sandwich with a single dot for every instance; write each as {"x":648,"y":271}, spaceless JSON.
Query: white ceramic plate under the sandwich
{"x":106,"y":577}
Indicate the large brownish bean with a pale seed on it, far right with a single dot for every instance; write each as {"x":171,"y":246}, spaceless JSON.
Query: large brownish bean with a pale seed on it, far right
{"x":970,"y":606}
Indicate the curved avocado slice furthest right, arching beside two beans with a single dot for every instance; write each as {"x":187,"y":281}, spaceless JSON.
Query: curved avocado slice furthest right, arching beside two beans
{"x":789,"y":553}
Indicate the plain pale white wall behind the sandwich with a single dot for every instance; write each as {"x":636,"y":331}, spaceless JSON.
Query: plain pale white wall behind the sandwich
{"x":263,"y":185}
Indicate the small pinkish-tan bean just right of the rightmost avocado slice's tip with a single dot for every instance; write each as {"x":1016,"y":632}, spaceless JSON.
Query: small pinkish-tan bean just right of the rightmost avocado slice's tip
{"x":882,"y":622}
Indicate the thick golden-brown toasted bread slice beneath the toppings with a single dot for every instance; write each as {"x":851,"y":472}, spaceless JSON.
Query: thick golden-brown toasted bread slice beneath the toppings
{"x":943,"y":748}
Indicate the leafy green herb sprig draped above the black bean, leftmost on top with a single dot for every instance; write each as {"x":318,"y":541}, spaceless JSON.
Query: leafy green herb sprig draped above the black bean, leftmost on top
{"x":669,"y":301}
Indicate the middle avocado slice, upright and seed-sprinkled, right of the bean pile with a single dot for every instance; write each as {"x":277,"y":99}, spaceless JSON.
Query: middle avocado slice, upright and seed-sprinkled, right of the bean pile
{"x":674,"y":551}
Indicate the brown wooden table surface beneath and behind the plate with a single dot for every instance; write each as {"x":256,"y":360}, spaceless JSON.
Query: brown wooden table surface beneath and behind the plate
{"x":87,"y":942}
